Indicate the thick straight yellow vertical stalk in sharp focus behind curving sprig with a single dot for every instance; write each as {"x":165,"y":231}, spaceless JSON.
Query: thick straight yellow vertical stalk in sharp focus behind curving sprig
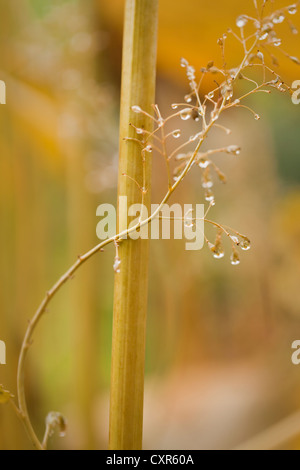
{"x":131,"y":284}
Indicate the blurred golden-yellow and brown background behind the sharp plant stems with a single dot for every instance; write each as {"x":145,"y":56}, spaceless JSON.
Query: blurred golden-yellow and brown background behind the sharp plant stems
{"x":218,"y":361}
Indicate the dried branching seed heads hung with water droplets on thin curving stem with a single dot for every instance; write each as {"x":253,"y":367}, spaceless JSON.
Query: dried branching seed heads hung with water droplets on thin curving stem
{"x":265,"y":32}
